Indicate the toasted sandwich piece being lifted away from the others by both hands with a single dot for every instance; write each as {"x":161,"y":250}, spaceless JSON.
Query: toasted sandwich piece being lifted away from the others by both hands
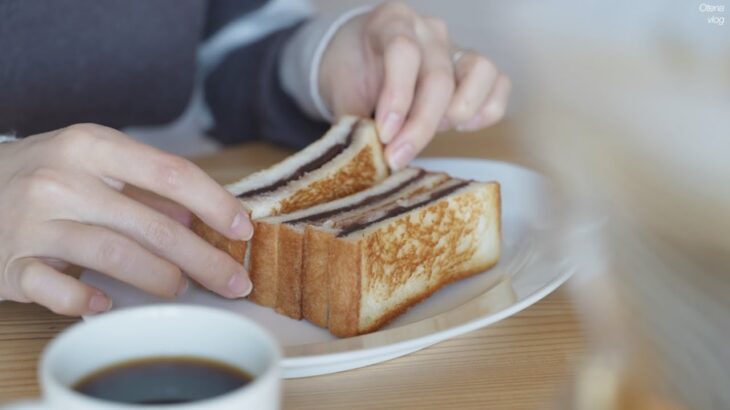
{"x":347,"y":159}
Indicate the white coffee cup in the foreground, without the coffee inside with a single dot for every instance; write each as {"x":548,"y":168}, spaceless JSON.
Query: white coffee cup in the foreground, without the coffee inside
{"x":158,"y":331}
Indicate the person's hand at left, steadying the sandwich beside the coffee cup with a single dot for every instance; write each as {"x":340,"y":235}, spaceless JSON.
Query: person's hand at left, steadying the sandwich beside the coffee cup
{"x":61,"y":202}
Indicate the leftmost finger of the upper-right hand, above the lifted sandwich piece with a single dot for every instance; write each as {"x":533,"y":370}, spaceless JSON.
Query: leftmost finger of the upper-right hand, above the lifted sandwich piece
{"x":401,"y":61}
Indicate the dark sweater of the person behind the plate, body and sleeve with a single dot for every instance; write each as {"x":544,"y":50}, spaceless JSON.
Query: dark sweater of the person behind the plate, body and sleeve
{"x":133,"y":62}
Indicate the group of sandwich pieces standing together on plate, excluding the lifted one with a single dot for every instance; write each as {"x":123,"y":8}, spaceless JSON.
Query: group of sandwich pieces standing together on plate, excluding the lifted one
{"x":353,"y":264}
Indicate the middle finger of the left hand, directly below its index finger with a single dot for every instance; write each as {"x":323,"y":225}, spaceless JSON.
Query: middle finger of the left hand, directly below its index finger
{"x":171,"y":241}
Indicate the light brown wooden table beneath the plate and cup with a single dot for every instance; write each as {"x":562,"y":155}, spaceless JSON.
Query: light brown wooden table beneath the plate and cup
{"x":520,"y":363}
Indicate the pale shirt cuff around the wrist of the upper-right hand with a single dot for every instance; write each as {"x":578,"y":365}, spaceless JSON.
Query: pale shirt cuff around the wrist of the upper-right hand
{"x":302,"y":56}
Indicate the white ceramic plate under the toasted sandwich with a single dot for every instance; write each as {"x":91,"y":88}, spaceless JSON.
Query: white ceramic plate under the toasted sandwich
{"x":534,"y":265}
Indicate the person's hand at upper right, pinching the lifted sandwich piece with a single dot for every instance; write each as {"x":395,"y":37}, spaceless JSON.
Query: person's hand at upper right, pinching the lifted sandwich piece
{"x":402,"y":66}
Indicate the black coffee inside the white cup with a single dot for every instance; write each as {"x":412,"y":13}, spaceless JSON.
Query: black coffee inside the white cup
{"x":163,"y":380}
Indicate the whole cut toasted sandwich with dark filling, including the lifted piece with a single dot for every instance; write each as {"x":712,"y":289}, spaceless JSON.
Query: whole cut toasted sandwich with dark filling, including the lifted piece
{"x":340,"y":242}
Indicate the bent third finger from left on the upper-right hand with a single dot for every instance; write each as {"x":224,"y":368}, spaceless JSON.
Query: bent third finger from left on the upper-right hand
{"x":476,"y":79}
